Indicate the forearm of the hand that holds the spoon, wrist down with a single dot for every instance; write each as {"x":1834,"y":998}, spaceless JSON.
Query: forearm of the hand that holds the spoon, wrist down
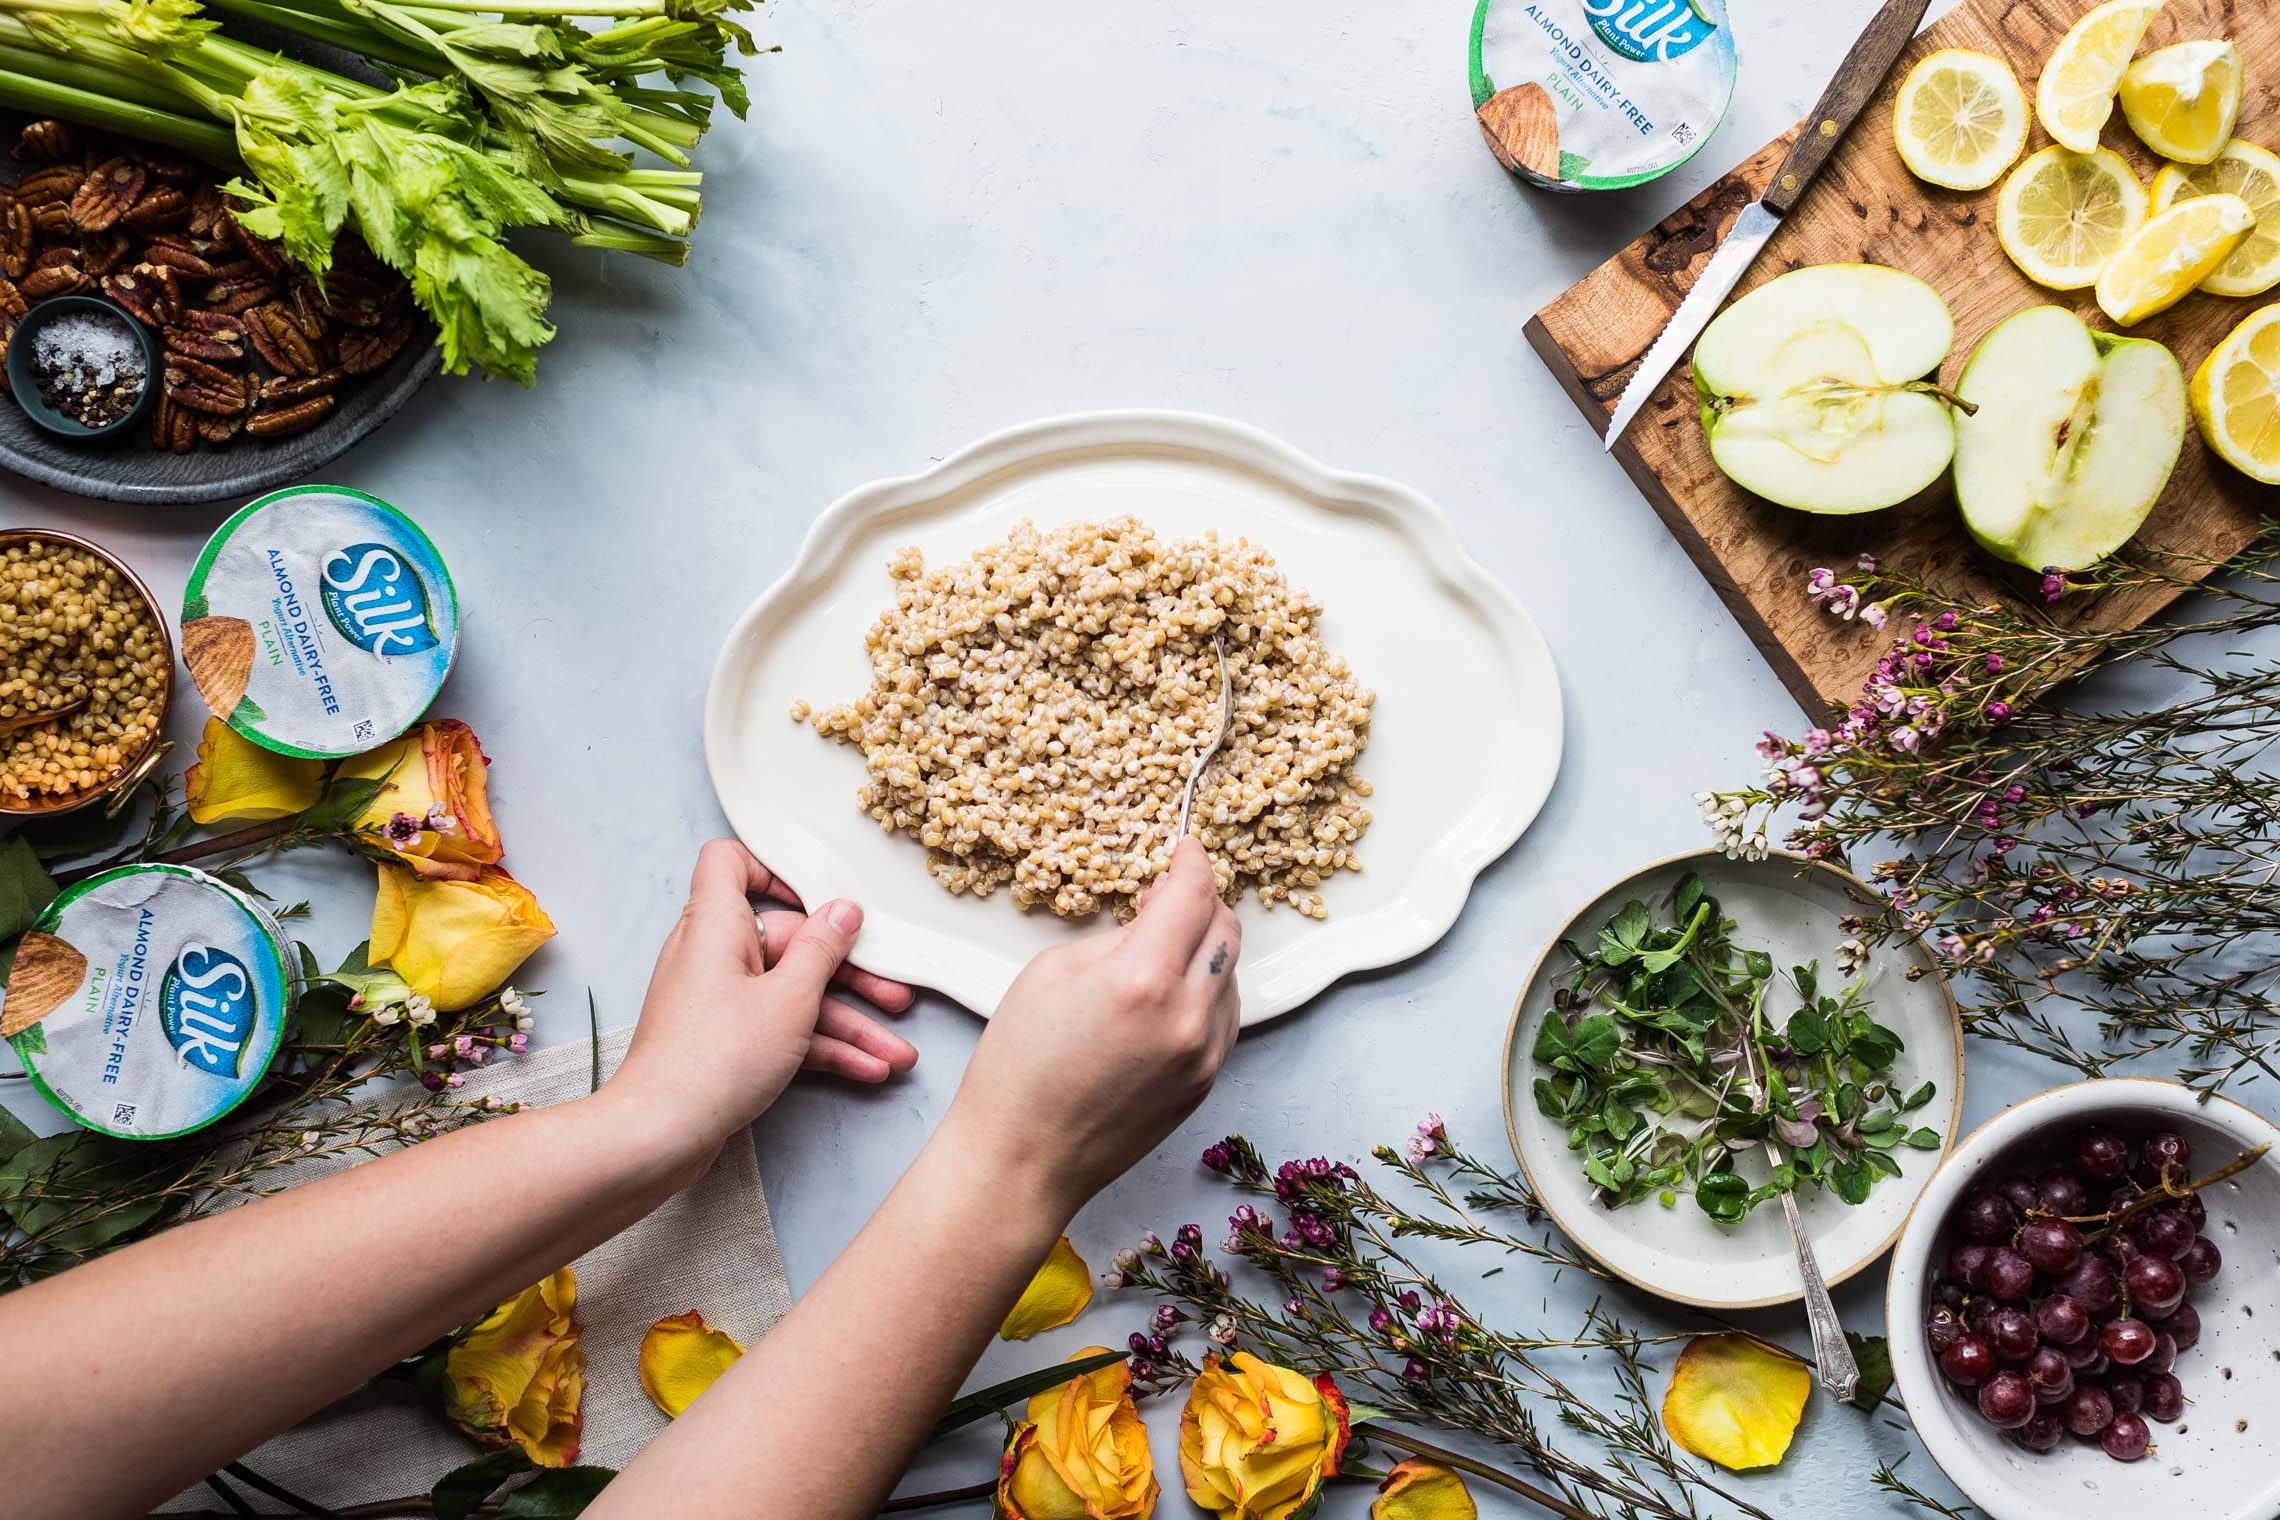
{"x":918,"y":1293}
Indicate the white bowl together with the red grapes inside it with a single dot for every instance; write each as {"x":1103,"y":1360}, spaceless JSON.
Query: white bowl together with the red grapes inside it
{"x":2085,"y":1309}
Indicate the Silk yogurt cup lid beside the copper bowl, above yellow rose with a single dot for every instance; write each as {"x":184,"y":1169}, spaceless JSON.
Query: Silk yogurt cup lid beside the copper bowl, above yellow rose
{"x":320,"y":623}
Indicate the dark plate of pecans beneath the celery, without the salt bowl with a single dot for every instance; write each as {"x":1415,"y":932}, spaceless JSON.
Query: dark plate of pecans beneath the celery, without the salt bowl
{"x":266,"y":373}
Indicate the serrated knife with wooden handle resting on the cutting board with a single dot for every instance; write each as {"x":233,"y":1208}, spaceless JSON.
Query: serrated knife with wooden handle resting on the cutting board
{"x":1841,"y":106}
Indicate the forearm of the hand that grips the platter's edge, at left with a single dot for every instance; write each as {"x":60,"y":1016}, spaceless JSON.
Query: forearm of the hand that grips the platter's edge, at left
{"x":204,"y":1341}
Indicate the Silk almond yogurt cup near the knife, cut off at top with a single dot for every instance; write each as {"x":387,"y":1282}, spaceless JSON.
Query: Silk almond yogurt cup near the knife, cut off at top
{"x":1599,"y":95}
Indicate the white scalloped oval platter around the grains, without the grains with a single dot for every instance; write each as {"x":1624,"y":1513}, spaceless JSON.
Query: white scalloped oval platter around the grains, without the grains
{"x":1465,"y":737}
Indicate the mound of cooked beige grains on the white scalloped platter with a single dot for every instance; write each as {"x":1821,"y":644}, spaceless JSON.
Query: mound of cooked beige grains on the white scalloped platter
{"x":1039,"y":710}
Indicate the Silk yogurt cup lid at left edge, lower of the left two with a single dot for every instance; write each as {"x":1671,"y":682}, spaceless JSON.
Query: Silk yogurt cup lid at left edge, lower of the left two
{"x":149,"y":1002}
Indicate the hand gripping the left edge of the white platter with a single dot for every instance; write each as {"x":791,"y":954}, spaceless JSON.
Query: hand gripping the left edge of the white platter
{"x":740,"y":1004}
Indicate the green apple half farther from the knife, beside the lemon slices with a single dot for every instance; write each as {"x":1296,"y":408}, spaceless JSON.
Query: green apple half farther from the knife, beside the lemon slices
{"x":2074,"y":439}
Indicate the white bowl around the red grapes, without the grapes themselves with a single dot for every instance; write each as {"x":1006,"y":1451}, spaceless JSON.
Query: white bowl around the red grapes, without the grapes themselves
{"x":2220,"y":1457}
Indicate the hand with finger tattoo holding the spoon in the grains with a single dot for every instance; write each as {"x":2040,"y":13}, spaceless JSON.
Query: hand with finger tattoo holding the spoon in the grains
{"x":1102,"y":1047}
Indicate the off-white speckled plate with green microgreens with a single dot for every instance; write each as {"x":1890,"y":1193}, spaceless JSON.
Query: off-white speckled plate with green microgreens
{"x":1631,"y":1097}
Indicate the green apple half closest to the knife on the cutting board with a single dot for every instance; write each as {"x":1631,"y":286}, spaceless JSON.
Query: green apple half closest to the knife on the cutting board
{"x":1814,"y":389}
